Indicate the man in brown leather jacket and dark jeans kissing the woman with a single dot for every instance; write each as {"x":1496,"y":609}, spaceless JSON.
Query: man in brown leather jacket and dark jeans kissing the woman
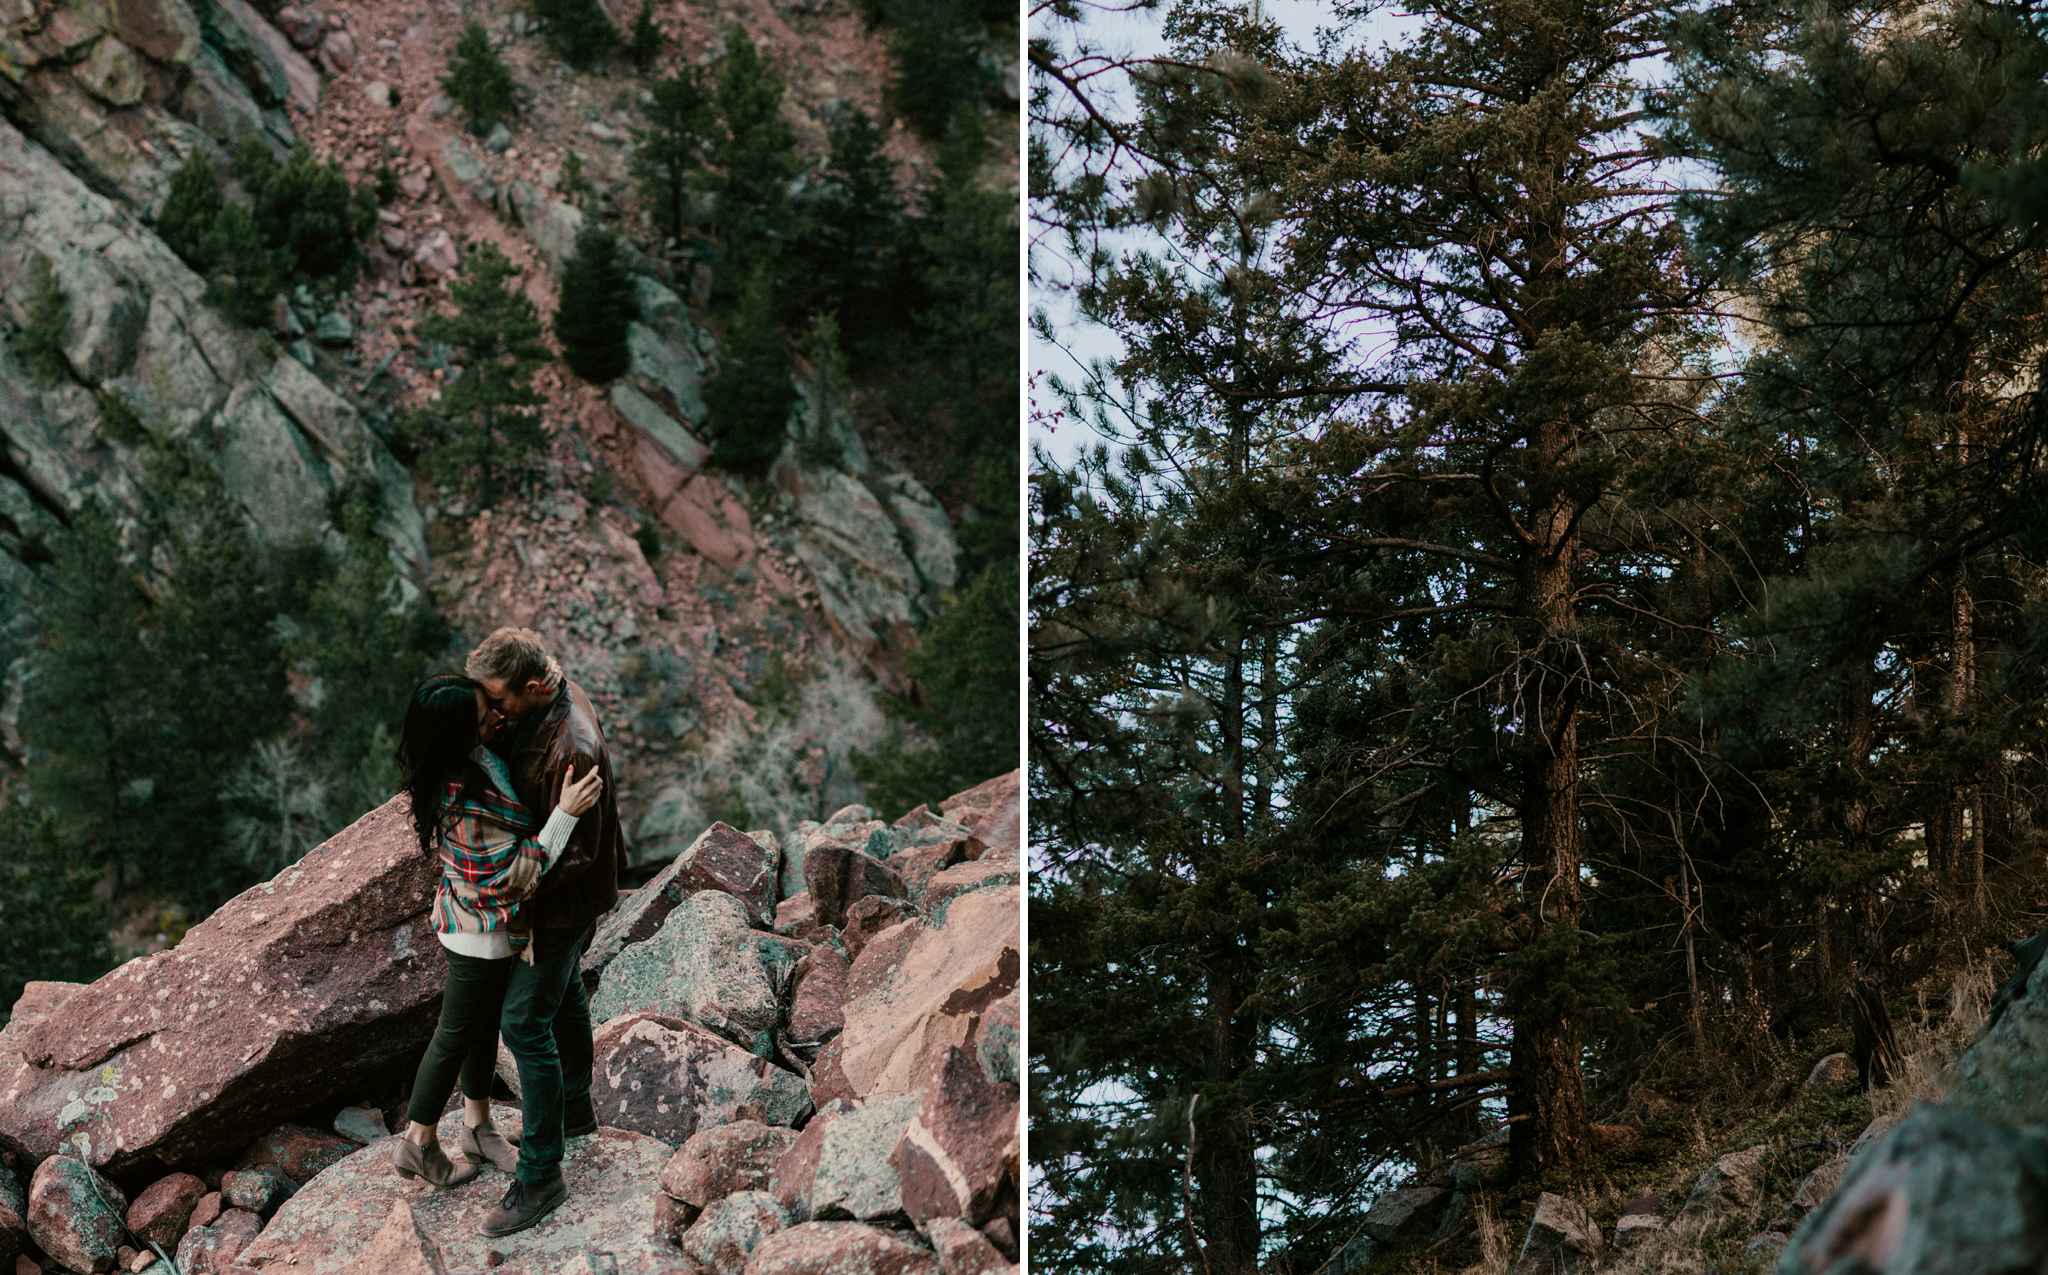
{"x":546,"y":1016}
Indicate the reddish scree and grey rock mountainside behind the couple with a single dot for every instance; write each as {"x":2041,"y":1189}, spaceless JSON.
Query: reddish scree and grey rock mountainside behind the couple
{"x":824,"y":566}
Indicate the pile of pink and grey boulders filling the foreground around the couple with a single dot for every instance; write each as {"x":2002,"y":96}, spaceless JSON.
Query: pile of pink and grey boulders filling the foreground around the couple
{"x":787,"y":1082}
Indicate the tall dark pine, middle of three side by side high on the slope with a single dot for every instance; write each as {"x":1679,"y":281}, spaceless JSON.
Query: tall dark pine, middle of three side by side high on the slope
{"x":755,"y":159}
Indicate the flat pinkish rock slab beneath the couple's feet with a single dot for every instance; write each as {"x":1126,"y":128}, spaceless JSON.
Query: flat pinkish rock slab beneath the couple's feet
{"x":337,"y":1217}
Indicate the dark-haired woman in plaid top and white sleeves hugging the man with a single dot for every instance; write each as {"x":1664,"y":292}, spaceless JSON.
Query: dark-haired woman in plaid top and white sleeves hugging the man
{"x":466,"y":814}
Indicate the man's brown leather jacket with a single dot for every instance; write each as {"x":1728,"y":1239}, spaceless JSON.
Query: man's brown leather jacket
{"x":585,"y":883}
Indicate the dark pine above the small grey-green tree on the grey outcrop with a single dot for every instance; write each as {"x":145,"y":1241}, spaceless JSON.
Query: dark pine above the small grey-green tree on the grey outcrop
{"x":859,"y":226}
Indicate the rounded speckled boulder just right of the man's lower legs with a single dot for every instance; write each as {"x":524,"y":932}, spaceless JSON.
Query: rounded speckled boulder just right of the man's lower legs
{"x":669,"y":1080}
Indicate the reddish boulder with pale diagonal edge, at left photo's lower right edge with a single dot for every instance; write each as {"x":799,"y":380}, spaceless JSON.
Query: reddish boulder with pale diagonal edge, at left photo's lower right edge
{"x":951,"y":1155}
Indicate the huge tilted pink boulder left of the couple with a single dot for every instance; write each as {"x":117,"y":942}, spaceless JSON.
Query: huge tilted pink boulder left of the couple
{"x":321,"y":981}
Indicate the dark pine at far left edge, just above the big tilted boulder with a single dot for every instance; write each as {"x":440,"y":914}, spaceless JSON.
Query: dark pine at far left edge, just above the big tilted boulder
{"x":52,"y":924}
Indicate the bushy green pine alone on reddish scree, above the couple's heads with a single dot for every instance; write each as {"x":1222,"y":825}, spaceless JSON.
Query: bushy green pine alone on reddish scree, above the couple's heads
{"x":482,"y":425}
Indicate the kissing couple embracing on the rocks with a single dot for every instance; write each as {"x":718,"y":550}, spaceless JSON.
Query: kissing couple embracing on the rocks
{"x":484,"y":756}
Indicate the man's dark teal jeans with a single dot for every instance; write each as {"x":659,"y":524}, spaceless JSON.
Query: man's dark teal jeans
{"x":548,"y":1028}
